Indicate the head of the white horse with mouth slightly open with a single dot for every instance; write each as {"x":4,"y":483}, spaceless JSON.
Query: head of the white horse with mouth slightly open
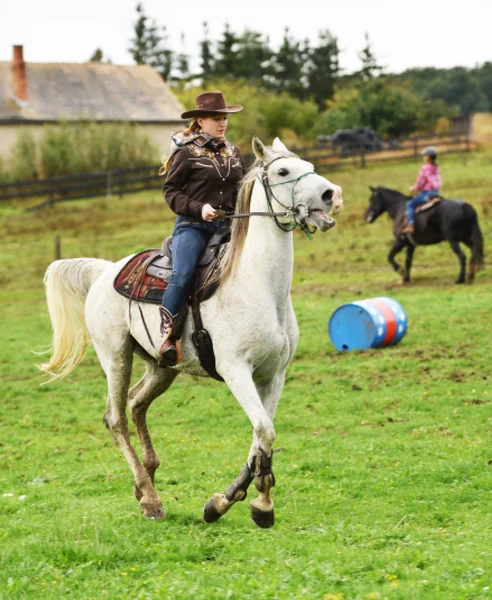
{"x":291,"y":183}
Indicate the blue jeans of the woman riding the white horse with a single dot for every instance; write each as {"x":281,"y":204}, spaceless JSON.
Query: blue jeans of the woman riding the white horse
{"x":190,"y":237}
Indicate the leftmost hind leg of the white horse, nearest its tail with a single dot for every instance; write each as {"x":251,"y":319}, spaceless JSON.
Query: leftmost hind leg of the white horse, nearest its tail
{"x":118,"y":367}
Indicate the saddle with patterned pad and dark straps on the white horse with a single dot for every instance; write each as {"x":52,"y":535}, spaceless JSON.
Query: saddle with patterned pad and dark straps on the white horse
{"x":145,"y":277}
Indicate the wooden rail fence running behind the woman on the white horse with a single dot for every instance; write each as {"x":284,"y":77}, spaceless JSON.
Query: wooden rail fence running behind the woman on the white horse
{"x":128,"y":181}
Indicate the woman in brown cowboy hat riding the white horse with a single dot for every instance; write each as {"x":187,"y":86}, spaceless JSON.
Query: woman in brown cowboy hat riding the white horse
{"x":203,"y":173}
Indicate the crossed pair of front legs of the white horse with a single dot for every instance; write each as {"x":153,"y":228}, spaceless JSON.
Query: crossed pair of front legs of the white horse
{"x":259,"y":403}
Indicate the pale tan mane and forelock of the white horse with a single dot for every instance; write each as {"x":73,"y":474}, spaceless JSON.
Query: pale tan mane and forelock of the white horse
{"x":240,"y":227}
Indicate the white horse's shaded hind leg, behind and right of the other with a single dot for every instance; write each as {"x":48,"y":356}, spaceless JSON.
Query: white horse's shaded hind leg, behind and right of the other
{"x":154,"y":383}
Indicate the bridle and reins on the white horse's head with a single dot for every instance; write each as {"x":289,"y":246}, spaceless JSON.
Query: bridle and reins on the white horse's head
{"x":293,"y":210}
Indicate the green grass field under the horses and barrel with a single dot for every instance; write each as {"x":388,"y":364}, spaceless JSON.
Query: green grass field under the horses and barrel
{"x":384,"y":462}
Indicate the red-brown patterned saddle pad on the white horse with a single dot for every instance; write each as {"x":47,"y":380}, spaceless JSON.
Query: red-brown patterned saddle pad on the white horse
{"x":146,"y":275}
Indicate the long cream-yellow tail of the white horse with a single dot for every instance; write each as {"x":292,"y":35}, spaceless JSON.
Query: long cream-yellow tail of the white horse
{"x":67,"y":285}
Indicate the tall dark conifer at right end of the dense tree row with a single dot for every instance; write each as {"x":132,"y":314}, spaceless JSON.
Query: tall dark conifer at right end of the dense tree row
{"x":323,"y":68}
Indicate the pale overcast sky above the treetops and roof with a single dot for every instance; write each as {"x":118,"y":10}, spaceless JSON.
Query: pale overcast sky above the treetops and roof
{"x":441,"y":33}
